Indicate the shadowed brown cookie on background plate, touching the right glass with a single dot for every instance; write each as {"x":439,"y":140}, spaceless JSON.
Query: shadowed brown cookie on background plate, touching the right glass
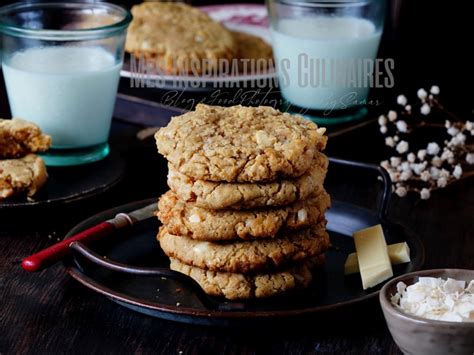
{"x":253,"y":53}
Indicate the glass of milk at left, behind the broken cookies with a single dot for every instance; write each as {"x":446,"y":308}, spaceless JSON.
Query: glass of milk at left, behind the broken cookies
{"x":61,"y":62}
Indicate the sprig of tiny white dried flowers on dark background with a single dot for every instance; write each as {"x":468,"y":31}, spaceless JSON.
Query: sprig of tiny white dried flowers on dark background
{"x":435,"y":166}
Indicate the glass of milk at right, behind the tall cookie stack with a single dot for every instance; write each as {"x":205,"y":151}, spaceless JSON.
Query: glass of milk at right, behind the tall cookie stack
{"x":326,"y":54}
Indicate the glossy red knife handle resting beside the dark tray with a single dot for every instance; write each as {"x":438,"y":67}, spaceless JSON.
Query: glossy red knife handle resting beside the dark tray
{"x":58,"y":251}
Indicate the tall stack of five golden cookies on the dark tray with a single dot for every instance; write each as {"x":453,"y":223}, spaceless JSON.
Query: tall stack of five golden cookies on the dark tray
{"x":245,"y":213}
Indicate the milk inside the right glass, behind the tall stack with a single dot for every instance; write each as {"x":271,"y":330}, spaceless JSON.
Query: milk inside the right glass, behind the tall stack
{"x":324,"y":38}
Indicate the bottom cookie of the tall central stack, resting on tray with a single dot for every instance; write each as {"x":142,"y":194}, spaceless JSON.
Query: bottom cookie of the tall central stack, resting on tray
{"x":239,"y":286}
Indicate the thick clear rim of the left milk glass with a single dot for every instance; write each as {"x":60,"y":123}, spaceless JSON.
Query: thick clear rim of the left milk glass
{"x":61,"y":35}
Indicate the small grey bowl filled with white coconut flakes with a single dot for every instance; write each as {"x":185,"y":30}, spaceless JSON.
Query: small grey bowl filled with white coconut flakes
{"x":431,"y":311}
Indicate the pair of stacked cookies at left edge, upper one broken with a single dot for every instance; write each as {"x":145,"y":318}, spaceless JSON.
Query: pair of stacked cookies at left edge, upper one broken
{"x":21,"y":171}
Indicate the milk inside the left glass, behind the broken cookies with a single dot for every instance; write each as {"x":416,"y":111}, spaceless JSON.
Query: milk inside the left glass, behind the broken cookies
{"x":68,"y":91}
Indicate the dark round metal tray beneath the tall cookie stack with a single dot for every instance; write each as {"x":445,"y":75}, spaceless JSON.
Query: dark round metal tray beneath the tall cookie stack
{"x":133,"y":271}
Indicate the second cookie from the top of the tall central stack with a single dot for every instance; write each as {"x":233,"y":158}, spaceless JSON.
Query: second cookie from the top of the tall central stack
{"x":214,"y":195}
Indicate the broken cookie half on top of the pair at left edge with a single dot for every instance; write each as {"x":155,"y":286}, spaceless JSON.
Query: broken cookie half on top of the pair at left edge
{"x":19,"y":138}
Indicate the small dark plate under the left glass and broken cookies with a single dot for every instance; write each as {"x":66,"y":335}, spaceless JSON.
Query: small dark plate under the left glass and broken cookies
{"x":72,"y":184}
